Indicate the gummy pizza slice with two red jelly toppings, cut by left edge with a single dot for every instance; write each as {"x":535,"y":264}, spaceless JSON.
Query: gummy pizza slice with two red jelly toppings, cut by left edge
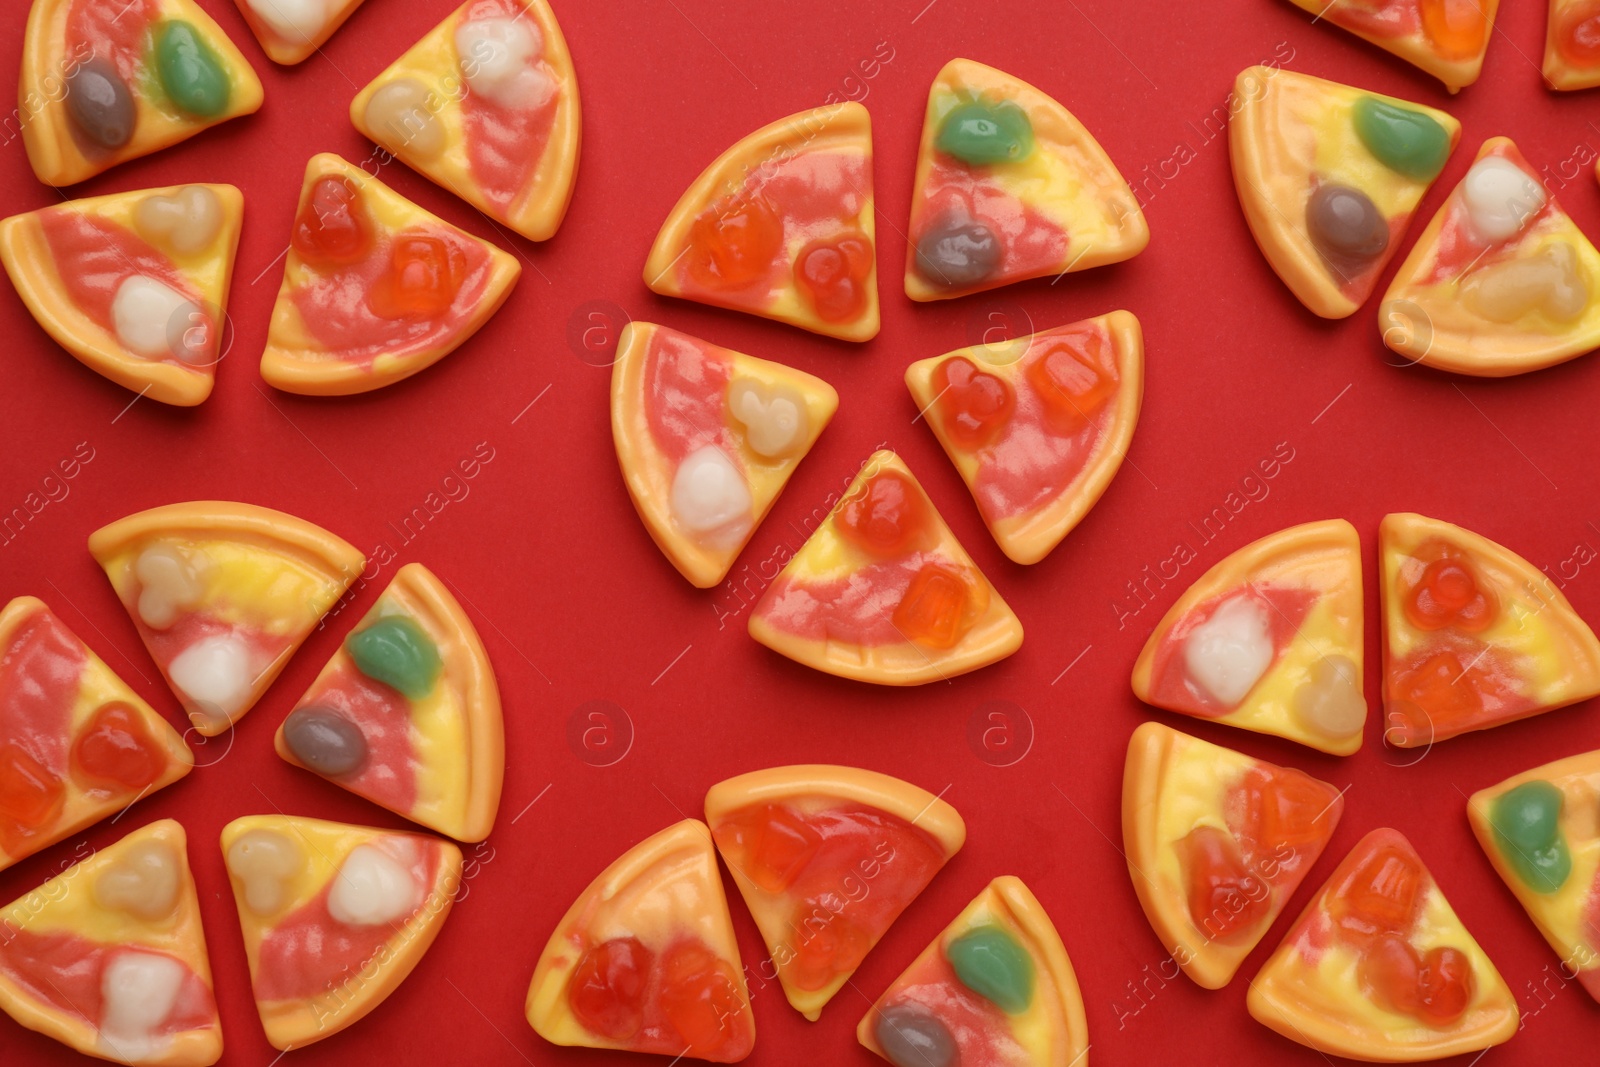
{"x":76,"y":743}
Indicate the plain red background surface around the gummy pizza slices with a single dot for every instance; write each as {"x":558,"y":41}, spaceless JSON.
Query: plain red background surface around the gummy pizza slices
{"x":577,"y":605}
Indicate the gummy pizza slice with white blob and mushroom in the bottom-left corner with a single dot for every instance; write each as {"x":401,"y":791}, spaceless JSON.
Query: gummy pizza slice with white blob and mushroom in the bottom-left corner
{"x":110,"y":956}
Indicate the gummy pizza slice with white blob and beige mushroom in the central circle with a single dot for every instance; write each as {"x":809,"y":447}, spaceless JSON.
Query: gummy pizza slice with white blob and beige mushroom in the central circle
{"x":708,"y":439}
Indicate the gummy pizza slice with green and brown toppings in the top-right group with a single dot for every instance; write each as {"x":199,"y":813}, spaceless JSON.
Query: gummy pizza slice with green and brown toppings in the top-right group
{"x":1329,"y":178}
